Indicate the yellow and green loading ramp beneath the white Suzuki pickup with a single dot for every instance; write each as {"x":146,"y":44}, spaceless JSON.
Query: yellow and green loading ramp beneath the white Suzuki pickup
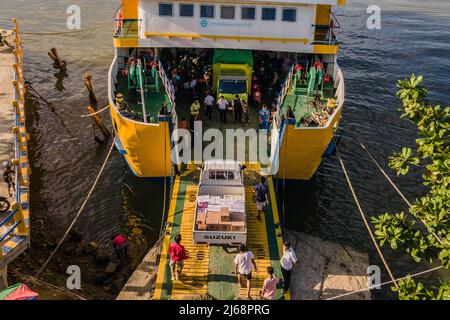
{"x":208,"y":270}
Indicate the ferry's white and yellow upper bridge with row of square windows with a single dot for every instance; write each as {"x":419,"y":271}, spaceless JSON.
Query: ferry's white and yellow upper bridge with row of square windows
{"x":304,"y":26}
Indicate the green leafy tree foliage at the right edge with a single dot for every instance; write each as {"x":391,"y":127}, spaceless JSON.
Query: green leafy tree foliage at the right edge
{"x":432,"y":156}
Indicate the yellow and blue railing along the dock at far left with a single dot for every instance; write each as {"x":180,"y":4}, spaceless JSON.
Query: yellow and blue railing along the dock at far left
{"x":16,"y":214}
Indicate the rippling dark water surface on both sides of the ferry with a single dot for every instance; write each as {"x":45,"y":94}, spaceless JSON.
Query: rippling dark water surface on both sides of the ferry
{"x":414,"y":37}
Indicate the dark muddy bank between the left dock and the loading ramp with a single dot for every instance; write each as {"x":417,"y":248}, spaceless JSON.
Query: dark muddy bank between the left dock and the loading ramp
{"x":102,"y":274}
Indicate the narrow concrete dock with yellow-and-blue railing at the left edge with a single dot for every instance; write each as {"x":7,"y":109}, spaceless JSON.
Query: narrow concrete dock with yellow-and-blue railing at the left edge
{"x":15,"y":222}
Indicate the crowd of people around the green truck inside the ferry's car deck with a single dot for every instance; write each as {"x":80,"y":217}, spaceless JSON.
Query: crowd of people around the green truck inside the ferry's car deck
{"x":190,"y":72}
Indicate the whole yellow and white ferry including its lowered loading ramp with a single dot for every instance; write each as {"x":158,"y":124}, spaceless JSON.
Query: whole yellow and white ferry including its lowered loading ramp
{"x":277,"y":53}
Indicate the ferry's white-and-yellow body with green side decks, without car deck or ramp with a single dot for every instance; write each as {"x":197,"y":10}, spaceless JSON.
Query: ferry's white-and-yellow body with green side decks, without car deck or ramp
{"x":300,"y":30}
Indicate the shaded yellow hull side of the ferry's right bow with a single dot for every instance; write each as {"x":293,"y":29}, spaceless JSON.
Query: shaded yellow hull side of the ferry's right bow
{"x":302,"y":149}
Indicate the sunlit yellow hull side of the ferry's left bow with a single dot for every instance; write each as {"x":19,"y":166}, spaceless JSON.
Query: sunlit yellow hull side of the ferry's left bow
{"x":147,"y":146}
